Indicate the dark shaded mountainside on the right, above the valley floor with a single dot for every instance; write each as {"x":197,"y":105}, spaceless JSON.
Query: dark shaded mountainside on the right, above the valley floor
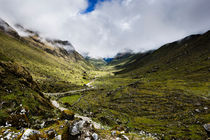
{"x":187,"y":56}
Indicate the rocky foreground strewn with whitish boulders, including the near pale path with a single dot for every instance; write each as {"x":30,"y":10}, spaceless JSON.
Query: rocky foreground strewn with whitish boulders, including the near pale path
{"x":67,"y":127}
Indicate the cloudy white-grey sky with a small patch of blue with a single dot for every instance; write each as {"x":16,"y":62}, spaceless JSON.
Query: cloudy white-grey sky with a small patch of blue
{"x":102,"y":28}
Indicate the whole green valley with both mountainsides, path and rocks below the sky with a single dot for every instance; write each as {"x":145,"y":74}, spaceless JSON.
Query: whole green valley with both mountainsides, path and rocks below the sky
{"x":49,"y":92}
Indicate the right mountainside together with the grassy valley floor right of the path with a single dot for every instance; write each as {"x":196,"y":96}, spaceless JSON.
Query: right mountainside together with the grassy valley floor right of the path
{"x":164,"y":92}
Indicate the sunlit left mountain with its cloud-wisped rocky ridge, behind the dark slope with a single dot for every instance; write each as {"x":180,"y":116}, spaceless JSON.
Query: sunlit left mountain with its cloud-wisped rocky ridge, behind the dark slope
{"x":52,"y":66}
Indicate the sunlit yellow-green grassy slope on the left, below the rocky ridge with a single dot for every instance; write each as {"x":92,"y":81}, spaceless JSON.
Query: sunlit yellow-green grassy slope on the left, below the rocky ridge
{"x":47,"y":69}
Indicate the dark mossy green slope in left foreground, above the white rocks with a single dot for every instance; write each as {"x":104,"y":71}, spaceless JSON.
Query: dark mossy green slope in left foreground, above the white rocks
{"x":18,"y":91}
